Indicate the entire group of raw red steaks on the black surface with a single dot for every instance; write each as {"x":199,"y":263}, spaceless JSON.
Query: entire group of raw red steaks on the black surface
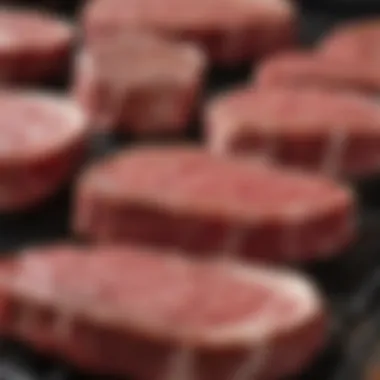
{"x":179,"y":272}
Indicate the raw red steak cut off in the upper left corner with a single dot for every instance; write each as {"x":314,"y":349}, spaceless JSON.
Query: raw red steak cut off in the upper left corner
{"x":34,"y":46}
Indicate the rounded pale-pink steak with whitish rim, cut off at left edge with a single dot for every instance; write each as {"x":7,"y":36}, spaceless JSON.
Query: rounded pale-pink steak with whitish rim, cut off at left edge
{"x":42,"y":142}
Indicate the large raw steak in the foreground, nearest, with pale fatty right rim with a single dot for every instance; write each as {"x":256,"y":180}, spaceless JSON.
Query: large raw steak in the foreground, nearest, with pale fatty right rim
{"x":134,"y":311}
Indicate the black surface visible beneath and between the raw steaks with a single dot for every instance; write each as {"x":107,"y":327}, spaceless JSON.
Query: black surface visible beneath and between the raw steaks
{"x":351,"y":282}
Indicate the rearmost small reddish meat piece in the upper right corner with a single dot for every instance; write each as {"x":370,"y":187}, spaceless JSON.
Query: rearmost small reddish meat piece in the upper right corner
{"x":355,"y":42}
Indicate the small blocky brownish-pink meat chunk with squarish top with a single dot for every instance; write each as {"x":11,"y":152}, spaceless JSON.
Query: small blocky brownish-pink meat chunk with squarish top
{"x":139,"y":83}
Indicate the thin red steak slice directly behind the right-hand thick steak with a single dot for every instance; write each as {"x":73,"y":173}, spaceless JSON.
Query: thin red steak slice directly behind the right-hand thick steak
{"x":308,"y":69}
